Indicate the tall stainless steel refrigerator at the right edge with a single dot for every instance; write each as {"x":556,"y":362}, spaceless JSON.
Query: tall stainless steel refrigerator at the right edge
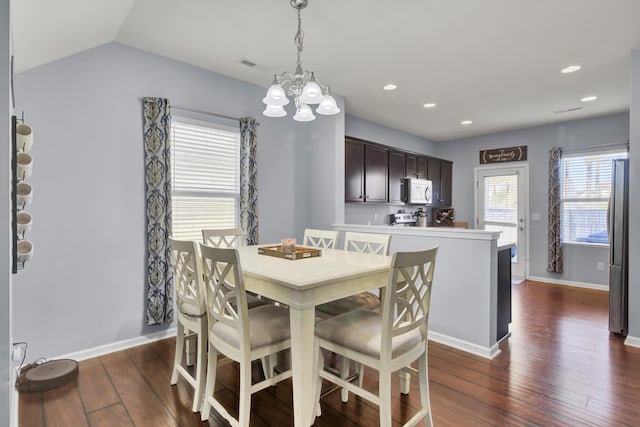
{"x":618,"y":248}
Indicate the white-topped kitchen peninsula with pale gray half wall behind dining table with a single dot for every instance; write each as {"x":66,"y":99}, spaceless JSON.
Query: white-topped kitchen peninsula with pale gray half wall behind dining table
{"x":465,"y":298}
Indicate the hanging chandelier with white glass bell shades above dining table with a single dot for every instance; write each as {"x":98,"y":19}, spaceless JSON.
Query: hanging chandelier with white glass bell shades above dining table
{"x":302,"y":85}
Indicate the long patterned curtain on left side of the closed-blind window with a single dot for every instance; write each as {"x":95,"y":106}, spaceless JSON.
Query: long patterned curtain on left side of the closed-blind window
{"x":157,"y":153}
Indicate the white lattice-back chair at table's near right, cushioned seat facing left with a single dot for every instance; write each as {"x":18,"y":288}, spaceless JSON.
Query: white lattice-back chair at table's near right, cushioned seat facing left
{"x":387,"y":341}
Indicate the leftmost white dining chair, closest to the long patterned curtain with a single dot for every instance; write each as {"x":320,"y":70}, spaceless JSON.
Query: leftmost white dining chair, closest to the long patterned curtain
{"x":191,"y":314}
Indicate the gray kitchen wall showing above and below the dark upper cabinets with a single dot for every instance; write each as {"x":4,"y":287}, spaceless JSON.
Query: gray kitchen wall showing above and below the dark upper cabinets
{"x":363,"y":213}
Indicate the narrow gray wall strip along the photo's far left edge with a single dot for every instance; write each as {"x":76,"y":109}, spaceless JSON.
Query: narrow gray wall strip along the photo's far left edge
{"x":6,"y":385}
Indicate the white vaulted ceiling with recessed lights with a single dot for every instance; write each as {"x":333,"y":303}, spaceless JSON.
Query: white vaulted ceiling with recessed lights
{"x":494,"y":62}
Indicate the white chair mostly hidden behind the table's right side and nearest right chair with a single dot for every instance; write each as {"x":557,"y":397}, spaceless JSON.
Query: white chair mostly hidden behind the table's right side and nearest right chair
{"x":365,"y":243}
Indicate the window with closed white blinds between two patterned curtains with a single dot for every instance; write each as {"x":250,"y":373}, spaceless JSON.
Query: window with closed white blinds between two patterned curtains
{"x":205,"y":177}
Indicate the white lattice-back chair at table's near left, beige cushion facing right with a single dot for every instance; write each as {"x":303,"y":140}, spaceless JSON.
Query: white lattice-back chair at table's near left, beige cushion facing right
{"x":240,"y":333}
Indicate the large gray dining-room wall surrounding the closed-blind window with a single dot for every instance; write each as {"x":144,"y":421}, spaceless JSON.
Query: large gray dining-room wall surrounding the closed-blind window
{"x":85,"y":285}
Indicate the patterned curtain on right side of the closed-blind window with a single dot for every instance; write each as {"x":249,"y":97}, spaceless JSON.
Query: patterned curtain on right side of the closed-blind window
{"x":249,"y":179}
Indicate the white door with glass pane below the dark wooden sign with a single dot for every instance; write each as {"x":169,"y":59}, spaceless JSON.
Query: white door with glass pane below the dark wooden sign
{"x":501,"y":194}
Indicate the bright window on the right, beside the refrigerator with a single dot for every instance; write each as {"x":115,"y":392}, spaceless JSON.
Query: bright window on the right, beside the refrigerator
{"x":585,"y":188}
